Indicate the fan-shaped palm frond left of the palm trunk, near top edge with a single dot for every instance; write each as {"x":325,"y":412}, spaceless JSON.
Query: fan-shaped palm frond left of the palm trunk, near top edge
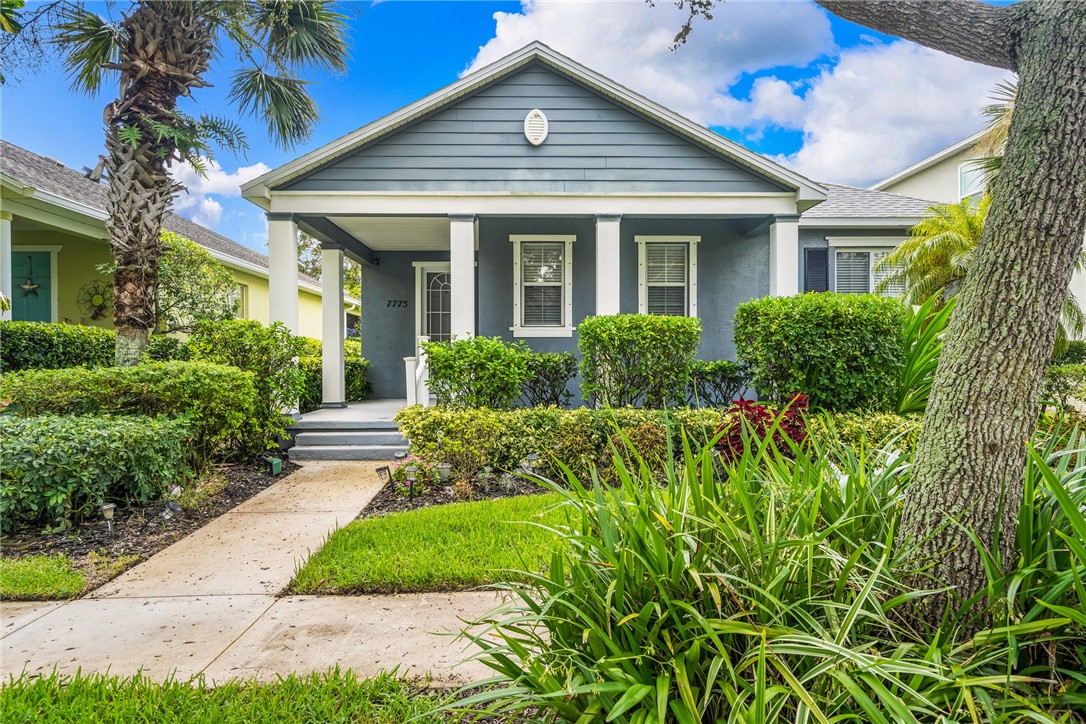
{"x":92,"y":47}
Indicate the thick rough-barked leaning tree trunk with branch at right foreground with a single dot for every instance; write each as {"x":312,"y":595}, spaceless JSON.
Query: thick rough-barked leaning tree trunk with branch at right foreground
{"x":986,"y":400}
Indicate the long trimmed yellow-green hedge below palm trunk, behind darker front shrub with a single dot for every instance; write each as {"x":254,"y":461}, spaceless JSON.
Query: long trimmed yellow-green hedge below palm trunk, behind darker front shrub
{"x":219,"y":401}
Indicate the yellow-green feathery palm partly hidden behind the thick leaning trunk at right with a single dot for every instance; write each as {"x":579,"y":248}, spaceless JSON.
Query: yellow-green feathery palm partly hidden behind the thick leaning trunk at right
{"x":936,"y":260}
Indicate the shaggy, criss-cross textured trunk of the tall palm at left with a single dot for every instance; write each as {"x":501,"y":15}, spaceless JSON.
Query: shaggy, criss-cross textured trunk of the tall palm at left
{"x":168,"y":49}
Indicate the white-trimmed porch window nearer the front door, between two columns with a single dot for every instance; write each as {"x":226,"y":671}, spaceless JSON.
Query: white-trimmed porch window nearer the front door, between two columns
{"x":542,"y":286}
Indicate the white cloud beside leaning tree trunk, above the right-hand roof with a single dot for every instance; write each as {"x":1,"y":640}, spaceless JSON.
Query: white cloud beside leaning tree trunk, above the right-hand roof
{"x":883,"y":108}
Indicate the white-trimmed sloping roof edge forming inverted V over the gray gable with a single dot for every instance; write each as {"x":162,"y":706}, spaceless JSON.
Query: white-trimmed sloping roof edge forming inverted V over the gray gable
{"x":809,"y":192}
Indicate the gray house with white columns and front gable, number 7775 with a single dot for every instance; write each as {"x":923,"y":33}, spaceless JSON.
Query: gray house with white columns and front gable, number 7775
{"x":535,"y":193}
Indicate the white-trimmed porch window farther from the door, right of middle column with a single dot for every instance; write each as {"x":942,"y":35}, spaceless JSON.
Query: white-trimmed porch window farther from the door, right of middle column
{"x":667,"y":276}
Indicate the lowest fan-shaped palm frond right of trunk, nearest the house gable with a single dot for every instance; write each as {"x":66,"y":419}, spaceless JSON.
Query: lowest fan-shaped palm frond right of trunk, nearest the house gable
{"x":282,"y":101}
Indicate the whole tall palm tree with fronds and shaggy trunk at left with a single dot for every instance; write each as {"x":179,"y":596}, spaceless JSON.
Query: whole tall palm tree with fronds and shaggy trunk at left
{"x":161,"y":52}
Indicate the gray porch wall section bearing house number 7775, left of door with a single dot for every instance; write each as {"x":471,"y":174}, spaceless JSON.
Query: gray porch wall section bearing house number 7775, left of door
{"x":388,"y":334}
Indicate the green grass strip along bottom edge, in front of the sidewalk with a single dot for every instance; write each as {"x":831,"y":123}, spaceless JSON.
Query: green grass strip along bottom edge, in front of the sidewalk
{"x":319,"y":698}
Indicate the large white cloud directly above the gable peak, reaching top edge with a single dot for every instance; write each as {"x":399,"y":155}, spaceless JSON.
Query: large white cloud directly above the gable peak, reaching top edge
{"x":630,"y":43}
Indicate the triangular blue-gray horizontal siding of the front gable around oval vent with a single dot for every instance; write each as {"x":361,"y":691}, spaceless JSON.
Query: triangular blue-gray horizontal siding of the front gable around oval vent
{"x":478,"y":145}
